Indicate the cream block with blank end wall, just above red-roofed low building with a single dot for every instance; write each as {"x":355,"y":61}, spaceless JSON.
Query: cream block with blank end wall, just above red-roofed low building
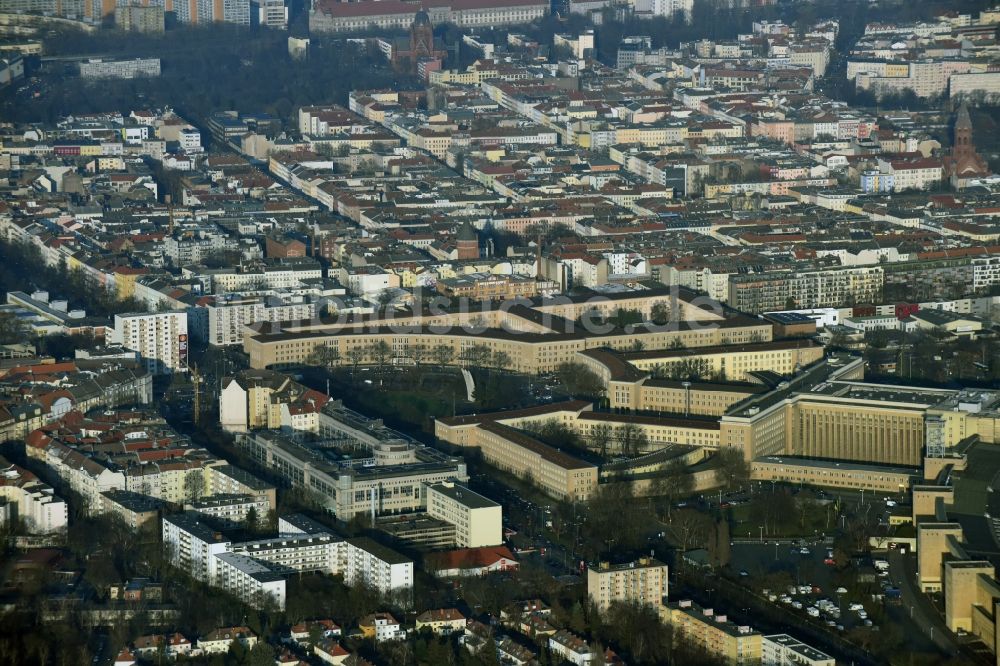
{"x":478,"y":521}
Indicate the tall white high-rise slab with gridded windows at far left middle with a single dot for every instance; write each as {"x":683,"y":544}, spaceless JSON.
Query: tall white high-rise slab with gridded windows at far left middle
{"x":160,"y":338}
